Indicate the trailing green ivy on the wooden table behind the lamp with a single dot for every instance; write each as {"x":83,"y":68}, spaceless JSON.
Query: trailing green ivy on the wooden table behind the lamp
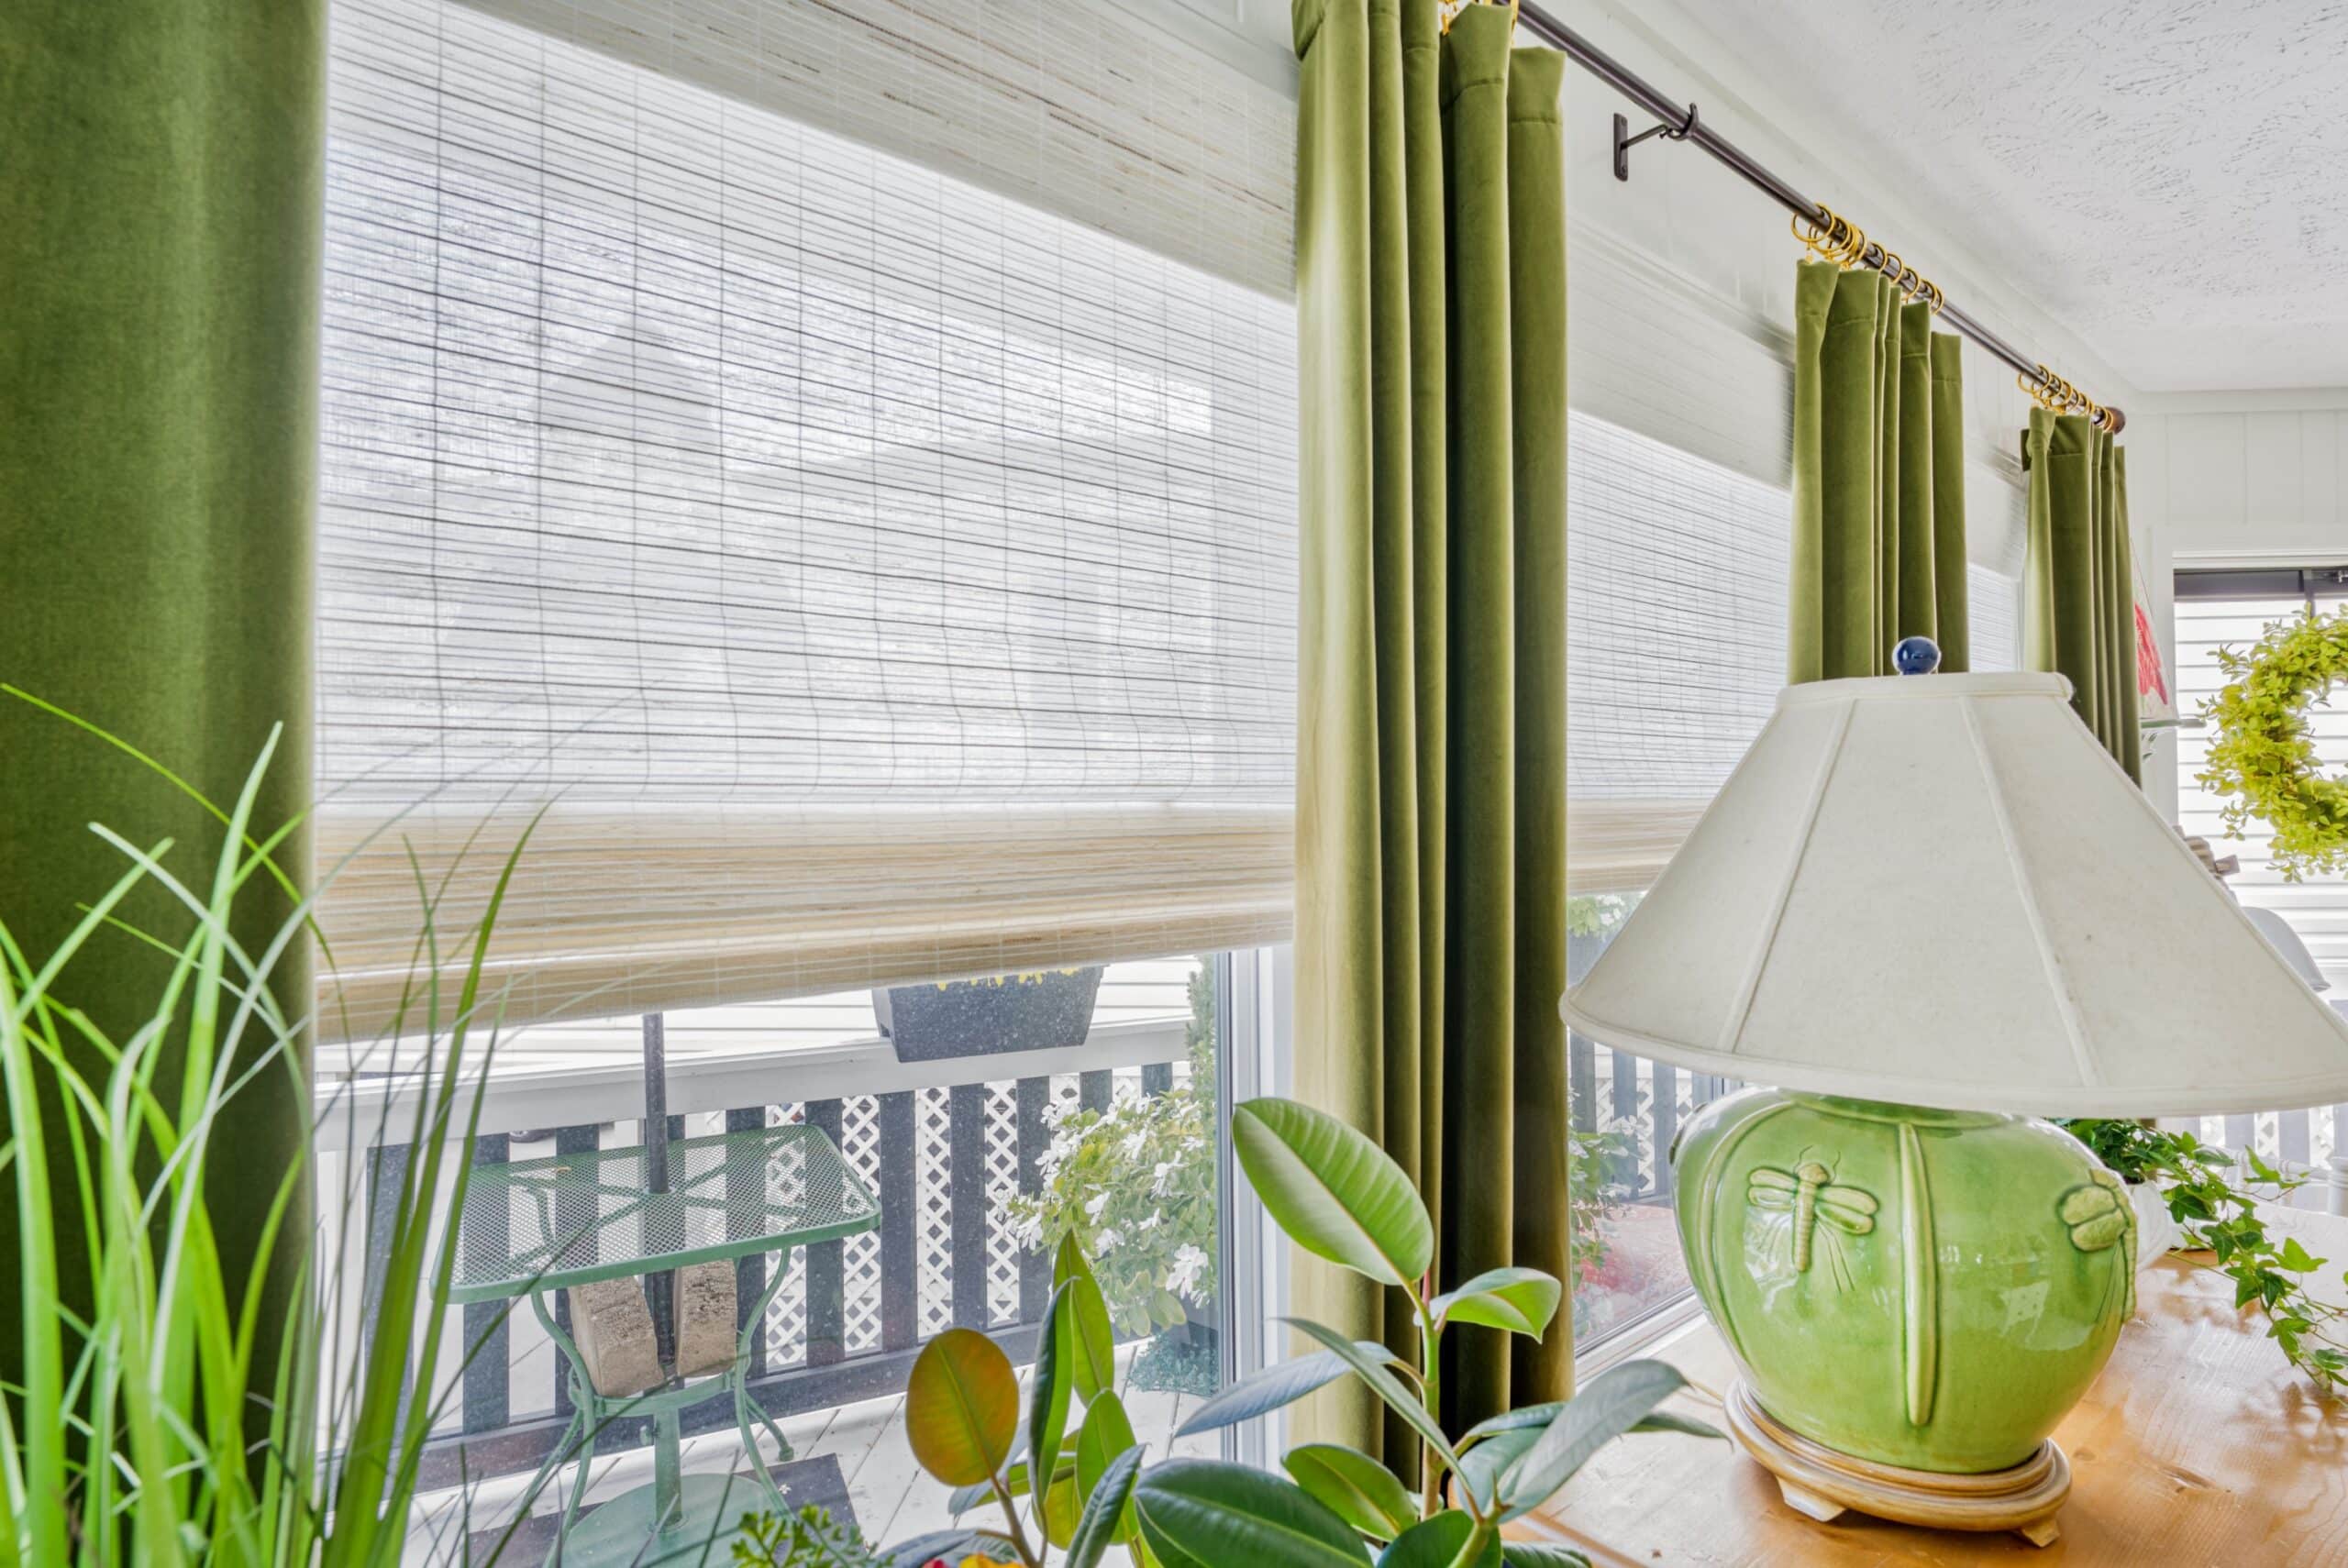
{"x":2269,"y":1273}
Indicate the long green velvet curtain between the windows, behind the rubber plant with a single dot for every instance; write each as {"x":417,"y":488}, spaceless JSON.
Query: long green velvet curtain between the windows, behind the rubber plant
{"x":1431,"y":867}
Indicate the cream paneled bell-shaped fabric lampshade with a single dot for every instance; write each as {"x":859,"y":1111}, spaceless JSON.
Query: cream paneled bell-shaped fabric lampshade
{"x":1941,"y":891}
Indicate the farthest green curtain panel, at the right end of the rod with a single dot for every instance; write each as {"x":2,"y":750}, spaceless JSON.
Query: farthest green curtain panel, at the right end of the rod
{"x":2079,"y":600}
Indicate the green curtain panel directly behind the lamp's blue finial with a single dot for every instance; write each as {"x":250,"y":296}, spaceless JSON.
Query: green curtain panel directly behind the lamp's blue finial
{"x":1880,"y":480}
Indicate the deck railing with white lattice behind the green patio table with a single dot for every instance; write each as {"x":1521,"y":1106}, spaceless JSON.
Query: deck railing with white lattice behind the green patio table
{"x":851,"y":1313}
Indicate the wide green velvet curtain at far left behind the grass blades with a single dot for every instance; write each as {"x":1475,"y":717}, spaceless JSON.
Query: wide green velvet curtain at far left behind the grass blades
{"x":158,"y":433}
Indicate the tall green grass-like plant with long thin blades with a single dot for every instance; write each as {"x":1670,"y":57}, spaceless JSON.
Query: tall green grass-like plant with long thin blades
{"x":133,"y":1438}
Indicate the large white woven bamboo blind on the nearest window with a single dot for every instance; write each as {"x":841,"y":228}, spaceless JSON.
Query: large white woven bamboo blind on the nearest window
{"x":870,"y":576}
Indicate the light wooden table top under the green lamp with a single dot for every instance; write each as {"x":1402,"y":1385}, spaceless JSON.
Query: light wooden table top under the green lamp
{"x":2199,"y":1445}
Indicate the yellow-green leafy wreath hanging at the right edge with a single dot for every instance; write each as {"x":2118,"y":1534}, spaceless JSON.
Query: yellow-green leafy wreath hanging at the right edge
{"x":2260,"y":752}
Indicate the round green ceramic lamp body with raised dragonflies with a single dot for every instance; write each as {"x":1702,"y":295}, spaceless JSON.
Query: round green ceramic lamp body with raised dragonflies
{"x":1912,"y":1290}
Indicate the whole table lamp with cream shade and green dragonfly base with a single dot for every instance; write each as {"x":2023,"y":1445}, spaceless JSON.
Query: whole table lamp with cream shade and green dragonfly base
{"x":1927,"y":912}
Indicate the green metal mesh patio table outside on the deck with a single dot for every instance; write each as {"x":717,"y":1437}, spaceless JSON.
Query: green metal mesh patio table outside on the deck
{"x":539,"y":1226}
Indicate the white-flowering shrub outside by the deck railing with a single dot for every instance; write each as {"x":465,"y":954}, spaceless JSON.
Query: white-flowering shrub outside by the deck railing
{"x":1135,"y":1187}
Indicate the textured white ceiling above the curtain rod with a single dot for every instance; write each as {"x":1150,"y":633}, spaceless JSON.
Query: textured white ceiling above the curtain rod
{"x":2164,"y":177}
